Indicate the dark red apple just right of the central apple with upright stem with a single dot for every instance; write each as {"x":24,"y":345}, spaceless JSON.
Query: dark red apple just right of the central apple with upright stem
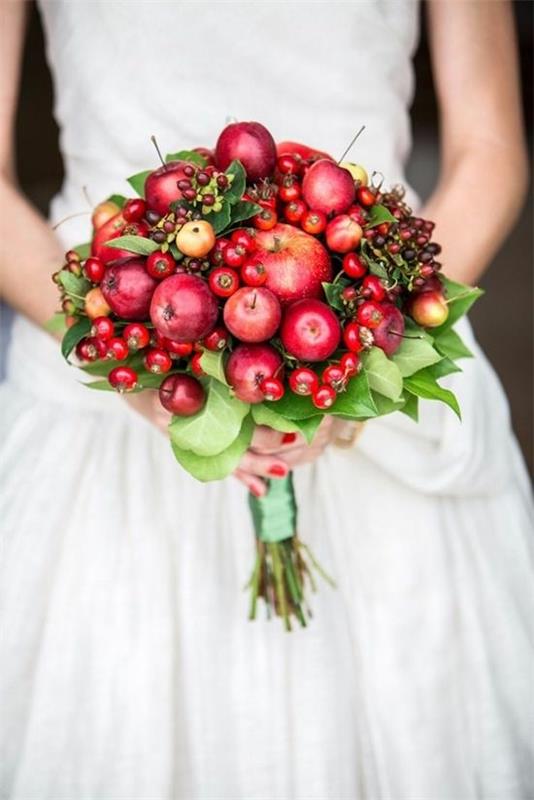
{"x":310,"y":330}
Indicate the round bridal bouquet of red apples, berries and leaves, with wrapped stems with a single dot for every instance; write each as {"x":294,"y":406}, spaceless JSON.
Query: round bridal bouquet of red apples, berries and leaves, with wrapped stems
{"x":262,"y":284}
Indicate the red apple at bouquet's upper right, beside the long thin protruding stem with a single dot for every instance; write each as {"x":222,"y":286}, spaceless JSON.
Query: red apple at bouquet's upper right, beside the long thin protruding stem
{"x":328,"y":188}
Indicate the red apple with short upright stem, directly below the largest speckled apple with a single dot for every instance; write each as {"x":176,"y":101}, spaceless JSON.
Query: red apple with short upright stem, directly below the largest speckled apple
{"x":252,"y":314}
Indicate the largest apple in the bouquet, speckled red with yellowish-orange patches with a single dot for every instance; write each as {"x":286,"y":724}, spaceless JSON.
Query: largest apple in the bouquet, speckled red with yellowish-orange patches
{"x":296,"y":263}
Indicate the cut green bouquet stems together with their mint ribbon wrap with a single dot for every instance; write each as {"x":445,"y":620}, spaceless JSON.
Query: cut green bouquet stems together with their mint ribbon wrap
{"x":283,"y":570}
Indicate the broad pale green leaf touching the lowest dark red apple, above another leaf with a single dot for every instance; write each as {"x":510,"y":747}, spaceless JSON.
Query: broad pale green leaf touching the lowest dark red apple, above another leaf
{"x":215,"y":427}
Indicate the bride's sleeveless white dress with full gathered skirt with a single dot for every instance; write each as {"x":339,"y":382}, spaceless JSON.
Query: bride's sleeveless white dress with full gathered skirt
{"x":129,"y":669}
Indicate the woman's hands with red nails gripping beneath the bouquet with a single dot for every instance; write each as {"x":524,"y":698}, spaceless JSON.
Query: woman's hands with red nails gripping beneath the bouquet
{"x":271,"y":454}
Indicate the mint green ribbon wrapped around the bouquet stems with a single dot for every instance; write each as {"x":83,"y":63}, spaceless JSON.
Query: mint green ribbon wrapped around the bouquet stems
{"x":275,"y":514}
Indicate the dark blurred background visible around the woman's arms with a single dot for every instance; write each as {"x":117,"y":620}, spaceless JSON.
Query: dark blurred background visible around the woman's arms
{"x":502,"y":320}
